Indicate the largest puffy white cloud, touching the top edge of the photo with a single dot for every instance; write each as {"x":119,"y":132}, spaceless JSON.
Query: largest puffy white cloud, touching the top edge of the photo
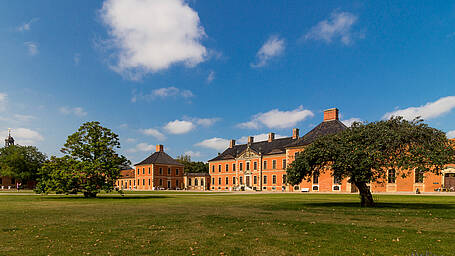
{"x":152,"y":35}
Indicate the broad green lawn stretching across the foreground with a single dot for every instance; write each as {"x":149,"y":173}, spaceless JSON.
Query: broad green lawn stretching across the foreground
{"x":226,"y":224}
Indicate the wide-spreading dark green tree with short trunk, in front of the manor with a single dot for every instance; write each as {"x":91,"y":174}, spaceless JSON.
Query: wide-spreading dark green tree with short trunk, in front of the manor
{"x":364,"y":153}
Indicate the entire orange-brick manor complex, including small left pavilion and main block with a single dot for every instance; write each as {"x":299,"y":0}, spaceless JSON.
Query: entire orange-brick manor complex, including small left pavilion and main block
{"x":261,"y":166}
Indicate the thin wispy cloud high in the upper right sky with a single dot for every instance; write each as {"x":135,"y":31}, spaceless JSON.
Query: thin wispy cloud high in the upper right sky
{"x":337,"y":26}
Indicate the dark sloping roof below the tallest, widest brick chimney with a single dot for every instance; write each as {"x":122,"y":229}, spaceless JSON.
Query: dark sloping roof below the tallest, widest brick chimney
{"x":324,"y":128}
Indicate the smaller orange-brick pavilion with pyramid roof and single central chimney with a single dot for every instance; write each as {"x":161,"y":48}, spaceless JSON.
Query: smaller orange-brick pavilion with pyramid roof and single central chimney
{"x":158,"y":171}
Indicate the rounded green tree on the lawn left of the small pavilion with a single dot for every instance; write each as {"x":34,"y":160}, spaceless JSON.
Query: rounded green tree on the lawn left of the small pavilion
{"x":91,"y":163}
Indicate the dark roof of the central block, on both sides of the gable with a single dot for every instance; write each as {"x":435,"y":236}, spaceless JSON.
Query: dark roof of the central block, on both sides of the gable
{"x":277,"y":146}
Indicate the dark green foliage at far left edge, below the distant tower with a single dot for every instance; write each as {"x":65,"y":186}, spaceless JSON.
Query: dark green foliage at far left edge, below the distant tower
{"x":21,"y":162}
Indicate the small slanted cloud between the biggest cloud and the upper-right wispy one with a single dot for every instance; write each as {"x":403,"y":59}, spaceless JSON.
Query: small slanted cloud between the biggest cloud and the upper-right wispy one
{"x":273,"y":47}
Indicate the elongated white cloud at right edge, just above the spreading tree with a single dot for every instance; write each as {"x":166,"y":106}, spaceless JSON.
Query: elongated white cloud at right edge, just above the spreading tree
{"x":428,"y":111}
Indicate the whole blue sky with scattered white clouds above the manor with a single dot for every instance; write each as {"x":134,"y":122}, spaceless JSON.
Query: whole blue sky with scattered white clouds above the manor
{"x":193,"y":74}
